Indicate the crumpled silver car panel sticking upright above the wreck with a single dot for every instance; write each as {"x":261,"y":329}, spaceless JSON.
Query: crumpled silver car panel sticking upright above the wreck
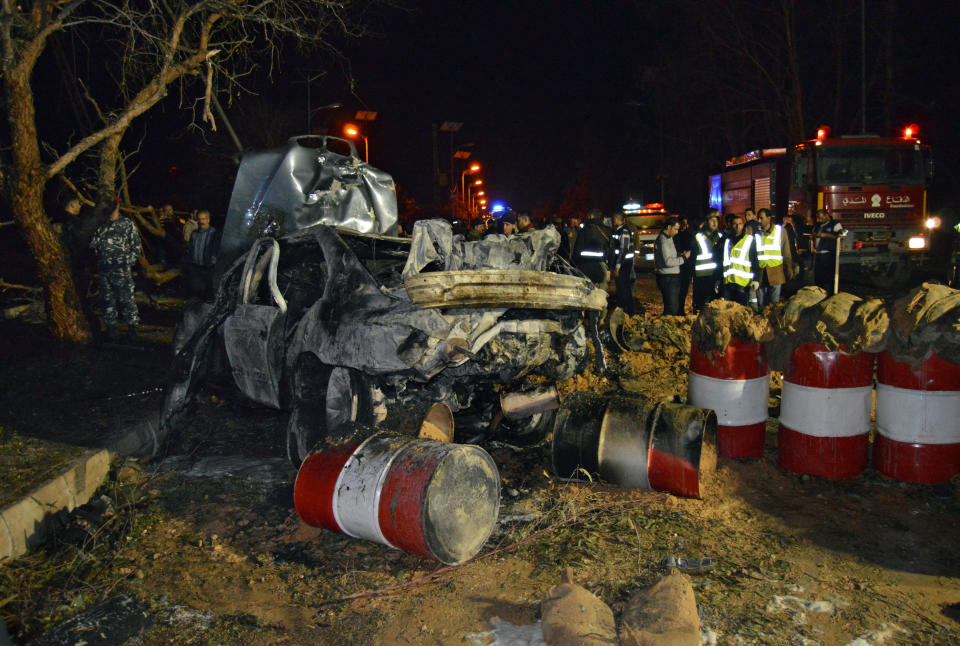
{"x":301,"y":184}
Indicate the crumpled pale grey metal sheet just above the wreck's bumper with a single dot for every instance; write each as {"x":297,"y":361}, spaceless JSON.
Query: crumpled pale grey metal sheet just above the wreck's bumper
{"x":434,"y":241}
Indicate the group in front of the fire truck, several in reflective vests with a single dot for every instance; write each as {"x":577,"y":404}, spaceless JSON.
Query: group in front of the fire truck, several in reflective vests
{"x":748,"y":262}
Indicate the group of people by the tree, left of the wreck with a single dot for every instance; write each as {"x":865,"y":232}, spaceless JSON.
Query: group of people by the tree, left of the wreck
{"x":105,"y":244}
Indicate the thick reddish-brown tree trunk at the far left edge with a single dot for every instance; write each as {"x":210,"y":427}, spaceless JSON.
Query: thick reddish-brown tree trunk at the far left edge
{"x":64,"y":311}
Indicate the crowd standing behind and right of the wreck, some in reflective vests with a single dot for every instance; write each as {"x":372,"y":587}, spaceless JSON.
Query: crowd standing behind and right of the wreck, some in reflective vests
{"x":746,"y":257}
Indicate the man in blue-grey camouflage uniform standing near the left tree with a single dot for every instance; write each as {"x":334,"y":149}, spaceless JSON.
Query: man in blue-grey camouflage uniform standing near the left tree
{"x":117,"y":247}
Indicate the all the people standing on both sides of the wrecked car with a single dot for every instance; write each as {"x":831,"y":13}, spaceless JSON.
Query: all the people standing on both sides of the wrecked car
{"x":748,"y":257}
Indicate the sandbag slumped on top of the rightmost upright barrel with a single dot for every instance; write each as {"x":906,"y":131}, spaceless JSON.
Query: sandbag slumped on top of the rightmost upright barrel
{"x":926,"y":320}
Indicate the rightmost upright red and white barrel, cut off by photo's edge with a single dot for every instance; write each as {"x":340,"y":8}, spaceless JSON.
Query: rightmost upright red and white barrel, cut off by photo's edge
{"x":918,"y":420}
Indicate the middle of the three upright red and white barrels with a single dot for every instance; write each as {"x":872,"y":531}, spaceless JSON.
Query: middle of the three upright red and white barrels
{"x":825,"y":412}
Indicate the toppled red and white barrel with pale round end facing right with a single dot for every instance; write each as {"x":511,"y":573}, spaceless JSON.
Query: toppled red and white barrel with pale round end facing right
{"x":430,"y":498}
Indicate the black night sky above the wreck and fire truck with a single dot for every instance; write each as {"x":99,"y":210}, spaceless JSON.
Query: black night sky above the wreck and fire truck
{"x":543,"y":89}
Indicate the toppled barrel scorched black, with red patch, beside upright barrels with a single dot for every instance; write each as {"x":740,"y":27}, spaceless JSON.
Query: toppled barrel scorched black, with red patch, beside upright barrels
{"x":633,"y":442}
